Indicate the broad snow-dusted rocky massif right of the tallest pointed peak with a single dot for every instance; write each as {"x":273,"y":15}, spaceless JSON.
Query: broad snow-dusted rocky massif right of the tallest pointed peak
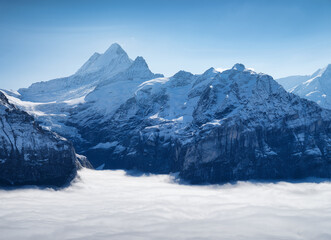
{"x":243,"y":126}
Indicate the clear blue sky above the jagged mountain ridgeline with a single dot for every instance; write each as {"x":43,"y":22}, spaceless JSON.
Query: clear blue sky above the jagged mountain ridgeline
{"x":41,"y":40}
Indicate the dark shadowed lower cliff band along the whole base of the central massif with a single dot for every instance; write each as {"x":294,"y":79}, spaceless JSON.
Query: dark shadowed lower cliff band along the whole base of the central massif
{"x":227,"y":153}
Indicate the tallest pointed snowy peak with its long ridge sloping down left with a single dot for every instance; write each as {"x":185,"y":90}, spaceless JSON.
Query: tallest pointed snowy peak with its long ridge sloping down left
{"x":97,"y":69}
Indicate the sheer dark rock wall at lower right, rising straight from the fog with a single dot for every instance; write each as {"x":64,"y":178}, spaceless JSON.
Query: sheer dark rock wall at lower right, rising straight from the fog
{"x":227,"y":154}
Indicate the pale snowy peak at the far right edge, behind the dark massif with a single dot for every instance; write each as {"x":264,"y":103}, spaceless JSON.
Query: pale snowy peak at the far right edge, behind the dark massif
{"x":315,"y":87}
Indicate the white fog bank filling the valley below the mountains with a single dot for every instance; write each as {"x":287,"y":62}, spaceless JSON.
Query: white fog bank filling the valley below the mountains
{"x":112,"y":205}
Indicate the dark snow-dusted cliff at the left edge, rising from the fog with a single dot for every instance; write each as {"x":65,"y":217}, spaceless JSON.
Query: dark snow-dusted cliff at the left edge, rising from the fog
{"x":30,"y":154}
